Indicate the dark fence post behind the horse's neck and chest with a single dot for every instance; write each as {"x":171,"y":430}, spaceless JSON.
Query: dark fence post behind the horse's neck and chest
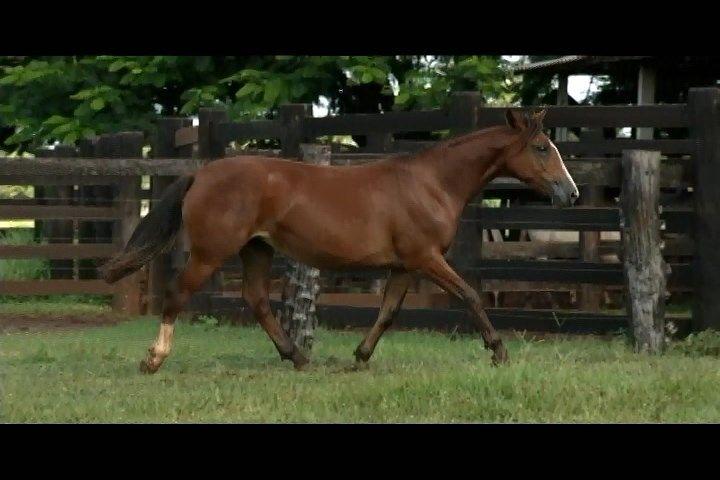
{"x":463,"y":111}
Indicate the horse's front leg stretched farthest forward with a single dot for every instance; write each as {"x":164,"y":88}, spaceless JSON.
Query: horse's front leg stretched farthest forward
{"x":438,"y":270}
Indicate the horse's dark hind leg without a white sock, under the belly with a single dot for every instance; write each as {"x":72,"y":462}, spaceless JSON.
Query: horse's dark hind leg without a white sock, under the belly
{"x":257,"y":256}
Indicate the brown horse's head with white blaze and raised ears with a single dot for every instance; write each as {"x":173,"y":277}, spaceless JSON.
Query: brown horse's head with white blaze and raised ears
{"x":535,"y":160}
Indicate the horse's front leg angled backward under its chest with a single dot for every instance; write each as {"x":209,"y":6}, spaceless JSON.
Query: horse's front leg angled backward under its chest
{"x":395,"y":290}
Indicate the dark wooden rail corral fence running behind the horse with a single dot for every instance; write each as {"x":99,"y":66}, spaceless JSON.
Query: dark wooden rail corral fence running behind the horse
{"x":495,"y":248}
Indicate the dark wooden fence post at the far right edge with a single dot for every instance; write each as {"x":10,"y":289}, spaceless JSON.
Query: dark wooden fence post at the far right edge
{"x":704,"y":111}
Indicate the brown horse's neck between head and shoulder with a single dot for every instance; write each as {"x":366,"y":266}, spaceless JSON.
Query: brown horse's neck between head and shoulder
{"x":463,"y":166}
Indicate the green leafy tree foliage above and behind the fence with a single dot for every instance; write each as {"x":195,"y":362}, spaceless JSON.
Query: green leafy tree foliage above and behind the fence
{"x":67,"y":98}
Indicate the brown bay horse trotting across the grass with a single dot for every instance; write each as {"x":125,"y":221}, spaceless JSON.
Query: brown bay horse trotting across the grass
{"x":399,"y":213}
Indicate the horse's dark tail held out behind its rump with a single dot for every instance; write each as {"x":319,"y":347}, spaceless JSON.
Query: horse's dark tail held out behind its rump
{"x":155,"y":233}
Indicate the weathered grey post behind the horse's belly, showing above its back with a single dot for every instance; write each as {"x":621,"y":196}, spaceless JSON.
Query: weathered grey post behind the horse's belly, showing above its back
{"x":298,"y":315}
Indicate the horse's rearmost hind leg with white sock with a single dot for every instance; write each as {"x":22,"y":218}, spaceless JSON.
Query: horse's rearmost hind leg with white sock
{"x":197,"y":270}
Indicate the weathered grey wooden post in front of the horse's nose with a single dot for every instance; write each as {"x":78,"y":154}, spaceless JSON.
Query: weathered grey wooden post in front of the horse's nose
{"x":645,"y":268}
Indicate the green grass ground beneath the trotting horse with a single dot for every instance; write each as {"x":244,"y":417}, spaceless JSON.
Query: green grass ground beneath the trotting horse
{"x":233,"y":374}
